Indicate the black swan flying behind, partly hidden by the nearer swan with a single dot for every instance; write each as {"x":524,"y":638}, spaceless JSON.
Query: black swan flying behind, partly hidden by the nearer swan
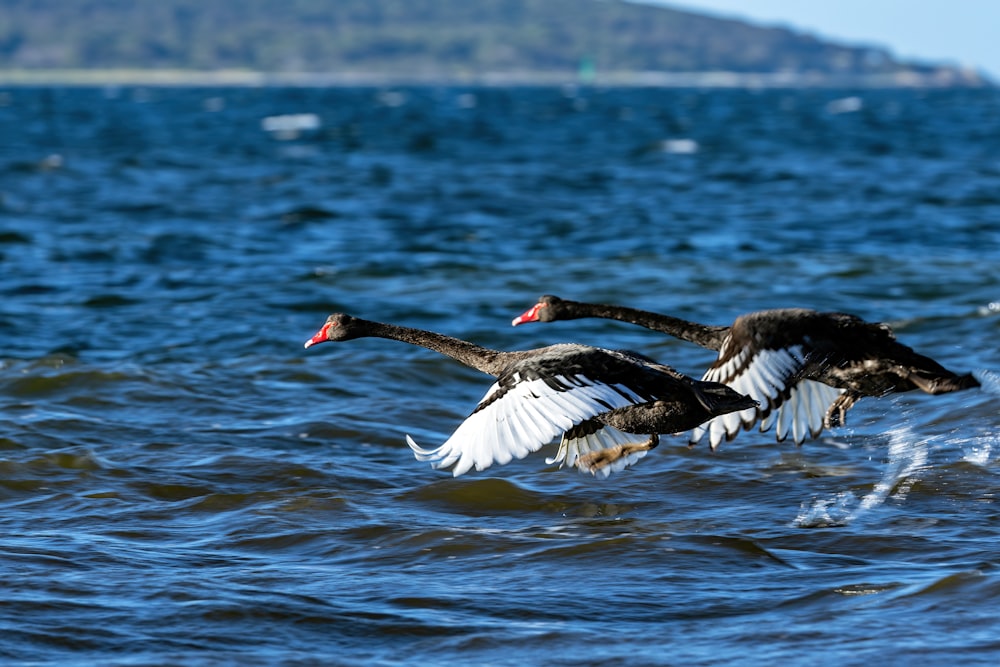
{"x":805,"y":368}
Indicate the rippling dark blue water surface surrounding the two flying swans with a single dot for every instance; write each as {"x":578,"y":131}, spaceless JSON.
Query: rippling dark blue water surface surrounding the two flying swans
{"x":181,"y":483}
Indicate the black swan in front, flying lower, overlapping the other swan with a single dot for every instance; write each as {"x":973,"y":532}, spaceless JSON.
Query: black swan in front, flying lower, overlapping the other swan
{"x":599,"y":400}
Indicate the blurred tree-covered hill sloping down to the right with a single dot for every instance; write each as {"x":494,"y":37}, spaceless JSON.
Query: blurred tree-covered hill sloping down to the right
{"x":419,"y":39}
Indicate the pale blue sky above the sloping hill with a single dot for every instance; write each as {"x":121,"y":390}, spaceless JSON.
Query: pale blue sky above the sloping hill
{"x":955,"y":32}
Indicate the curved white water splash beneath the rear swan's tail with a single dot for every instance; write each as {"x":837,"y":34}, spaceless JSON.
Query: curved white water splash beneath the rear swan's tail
{"x":906,"y":456}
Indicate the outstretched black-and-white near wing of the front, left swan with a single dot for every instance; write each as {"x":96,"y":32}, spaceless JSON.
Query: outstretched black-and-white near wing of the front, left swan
{"x":536,"y":400}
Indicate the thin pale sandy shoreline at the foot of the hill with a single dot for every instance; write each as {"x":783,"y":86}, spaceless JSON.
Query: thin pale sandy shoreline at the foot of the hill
{"x":944,"y":77}
